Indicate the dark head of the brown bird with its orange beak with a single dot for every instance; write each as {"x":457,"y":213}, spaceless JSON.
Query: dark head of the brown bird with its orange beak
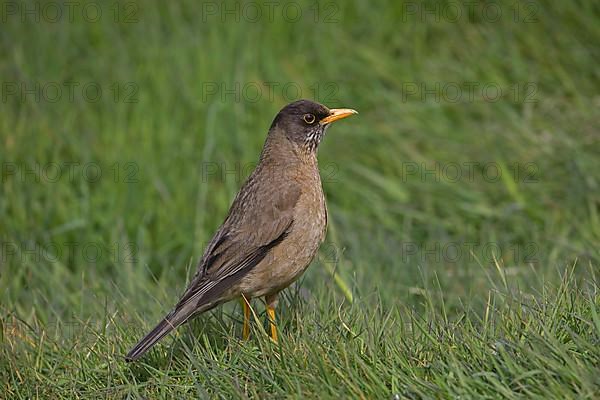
{"x":304,"y":122}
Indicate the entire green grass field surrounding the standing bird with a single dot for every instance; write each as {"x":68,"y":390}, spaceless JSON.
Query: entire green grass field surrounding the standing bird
{"x":463,"y":251}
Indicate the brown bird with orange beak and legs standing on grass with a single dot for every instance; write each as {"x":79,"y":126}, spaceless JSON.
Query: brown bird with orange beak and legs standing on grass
{"x":274,"y":226}
